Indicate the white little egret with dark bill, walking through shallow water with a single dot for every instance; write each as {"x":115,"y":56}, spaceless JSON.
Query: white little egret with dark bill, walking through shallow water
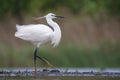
{"x":39,"y":34}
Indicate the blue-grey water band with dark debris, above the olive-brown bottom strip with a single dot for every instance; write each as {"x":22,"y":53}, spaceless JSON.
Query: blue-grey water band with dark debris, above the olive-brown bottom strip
{"x":59,"y":72}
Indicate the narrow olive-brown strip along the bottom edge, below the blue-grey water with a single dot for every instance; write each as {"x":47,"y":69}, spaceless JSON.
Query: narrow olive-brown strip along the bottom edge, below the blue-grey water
{"x":62,"y":78}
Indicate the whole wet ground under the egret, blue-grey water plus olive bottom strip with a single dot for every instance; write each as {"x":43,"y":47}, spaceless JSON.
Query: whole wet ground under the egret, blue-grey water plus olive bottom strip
{"x":60,"y":74}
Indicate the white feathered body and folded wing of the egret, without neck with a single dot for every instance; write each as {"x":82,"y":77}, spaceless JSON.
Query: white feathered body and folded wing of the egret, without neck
{"x":34,"y":33}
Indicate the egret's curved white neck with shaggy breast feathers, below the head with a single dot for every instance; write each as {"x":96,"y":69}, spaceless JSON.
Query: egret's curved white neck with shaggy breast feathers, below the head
{"x":56,"y":31}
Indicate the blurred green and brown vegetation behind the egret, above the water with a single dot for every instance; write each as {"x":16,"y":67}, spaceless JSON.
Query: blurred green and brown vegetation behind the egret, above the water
{"x":90,"y":33}
